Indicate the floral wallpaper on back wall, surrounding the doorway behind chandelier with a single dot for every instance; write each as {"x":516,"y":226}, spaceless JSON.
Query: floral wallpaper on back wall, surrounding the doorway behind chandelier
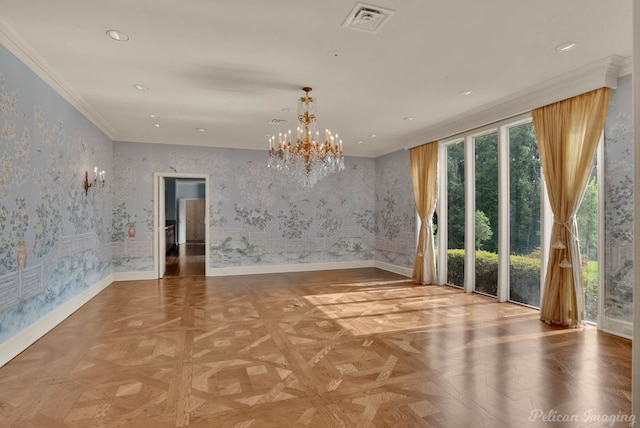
{"x":258,"y":216}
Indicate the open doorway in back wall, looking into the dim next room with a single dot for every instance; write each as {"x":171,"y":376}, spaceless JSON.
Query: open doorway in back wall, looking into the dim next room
{"x":181,"y":217}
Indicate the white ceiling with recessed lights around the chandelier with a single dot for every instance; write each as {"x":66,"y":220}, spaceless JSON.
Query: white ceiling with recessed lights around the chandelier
{"x":231,"y":66}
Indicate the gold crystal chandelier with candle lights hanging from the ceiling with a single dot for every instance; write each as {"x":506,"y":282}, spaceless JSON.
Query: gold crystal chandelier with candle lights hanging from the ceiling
{"x":308,"y":159}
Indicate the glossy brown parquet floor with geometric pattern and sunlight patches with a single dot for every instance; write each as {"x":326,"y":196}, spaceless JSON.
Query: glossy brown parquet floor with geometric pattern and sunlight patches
{"x":344,"y":348}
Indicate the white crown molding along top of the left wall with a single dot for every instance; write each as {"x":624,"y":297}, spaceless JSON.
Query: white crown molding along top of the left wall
{"x":12,"y":39}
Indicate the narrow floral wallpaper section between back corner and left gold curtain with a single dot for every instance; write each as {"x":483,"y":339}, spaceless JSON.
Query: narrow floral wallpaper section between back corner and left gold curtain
{"x":394,"y":218}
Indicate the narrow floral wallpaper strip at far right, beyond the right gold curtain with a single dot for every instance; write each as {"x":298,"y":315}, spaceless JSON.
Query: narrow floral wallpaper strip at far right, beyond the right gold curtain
{"x":618,"y":165}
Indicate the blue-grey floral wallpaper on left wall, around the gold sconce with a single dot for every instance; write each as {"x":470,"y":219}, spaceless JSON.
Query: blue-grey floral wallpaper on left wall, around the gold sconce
{"x":54,"y":239}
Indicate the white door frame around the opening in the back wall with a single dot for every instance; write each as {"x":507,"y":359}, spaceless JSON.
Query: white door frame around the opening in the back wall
{"x":159,"y":219}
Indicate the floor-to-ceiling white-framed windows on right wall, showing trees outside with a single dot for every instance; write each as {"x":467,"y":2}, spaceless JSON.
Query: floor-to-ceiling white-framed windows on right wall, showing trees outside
{"x":498,"y":169}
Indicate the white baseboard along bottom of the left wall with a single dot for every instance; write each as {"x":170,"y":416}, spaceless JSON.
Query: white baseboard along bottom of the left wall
{"x":22,"y":340}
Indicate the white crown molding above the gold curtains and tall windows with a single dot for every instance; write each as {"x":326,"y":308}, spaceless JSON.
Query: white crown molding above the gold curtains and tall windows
{"x":602,"y":73}
